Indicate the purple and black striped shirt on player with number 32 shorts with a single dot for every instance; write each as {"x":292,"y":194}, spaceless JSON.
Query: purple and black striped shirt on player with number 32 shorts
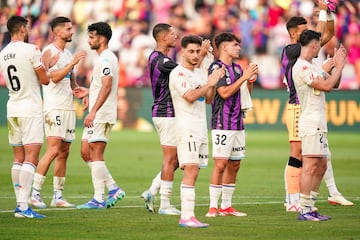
{"x":227,"y":114}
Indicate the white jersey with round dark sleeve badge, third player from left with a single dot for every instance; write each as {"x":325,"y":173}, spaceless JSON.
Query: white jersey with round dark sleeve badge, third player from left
{"x":105,"y":65}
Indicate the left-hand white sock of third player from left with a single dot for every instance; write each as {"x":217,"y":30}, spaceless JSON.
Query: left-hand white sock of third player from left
{"x":98,"y":175}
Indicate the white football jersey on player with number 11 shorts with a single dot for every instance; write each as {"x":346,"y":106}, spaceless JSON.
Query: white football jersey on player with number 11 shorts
{"x":190,"y":118}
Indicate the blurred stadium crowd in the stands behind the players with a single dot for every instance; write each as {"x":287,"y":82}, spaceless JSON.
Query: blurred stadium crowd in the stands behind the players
{"x":260,"y":24}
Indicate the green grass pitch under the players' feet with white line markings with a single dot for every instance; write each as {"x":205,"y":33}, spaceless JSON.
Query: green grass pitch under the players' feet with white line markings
{"x":134,"y":158}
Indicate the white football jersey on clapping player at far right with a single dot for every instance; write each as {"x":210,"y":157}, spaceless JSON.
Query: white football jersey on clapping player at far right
{"x":312,"y":101}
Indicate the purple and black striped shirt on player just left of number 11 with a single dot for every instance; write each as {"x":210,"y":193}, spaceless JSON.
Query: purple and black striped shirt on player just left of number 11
{"x":160,"y":67}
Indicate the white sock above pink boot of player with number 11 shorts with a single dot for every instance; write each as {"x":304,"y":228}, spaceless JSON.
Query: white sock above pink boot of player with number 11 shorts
{"x":187,"y":196}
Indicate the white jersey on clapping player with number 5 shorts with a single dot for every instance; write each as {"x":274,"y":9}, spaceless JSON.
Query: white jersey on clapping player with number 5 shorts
{"x":59,"y":95}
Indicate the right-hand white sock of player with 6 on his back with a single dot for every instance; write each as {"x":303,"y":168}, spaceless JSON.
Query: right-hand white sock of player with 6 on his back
{"x":26,"y":177}
